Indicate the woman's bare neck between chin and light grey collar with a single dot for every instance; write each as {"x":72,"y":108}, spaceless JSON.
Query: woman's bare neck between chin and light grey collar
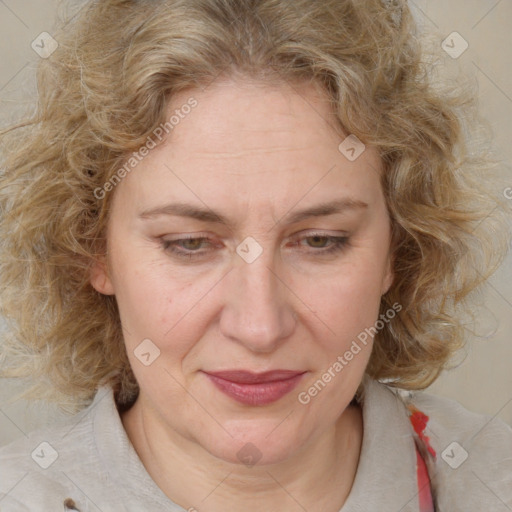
{"x":318,"y":478}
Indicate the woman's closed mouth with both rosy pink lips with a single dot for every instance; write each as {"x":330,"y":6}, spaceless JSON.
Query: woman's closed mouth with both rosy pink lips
{"x":255,"y":388}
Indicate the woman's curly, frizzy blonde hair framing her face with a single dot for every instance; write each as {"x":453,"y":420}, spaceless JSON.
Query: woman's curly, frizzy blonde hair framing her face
{"x":105,"y":90}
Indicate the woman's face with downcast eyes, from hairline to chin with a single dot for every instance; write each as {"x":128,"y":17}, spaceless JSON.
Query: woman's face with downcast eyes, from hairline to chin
{"x":279,"y":272}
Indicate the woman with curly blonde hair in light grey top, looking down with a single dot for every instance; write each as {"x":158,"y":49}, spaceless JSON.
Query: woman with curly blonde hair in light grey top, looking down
{"x":237,"y":221}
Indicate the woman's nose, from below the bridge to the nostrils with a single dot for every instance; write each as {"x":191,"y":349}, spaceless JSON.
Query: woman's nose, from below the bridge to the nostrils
{"x":257,"y":312}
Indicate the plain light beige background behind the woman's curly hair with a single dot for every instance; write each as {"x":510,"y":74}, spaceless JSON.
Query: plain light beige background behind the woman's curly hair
{"x":483,"y":382}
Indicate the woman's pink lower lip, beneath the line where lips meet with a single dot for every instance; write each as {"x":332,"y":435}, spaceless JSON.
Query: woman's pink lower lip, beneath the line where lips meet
{"x":256,"y":394}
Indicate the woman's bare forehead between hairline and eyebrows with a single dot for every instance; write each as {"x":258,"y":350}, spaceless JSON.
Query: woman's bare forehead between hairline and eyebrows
{"x":264,"y":141}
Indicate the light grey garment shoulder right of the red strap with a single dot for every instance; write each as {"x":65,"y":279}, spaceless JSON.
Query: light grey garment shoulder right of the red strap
{"x":472,"y":453}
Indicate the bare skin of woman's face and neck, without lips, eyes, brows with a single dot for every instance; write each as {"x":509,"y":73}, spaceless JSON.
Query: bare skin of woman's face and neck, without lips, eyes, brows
{"x":254,"y":154}
